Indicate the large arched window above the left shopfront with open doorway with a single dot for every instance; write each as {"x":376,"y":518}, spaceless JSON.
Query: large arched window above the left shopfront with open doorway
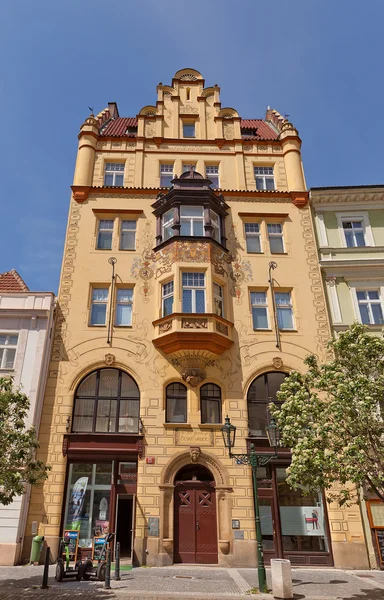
{"x":107,"y":401}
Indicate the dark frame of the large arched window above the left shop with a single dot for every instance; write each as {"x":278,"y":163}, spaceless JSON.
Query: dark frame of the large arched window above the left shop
{"x":97,"y":397}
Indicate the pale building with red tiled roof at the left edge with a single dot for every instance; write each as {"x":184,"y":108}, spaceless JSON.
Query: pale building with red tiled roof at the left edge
{"x":26,"y":327}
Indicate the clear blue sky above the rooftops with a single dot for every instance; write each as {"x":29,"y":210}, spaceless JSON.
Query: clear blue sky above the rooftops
{"x":320,"y":61}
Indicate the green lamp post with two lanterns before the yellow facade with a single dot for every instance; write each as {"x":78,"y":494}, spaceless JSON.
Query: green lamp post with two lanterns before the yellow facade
{"x":254,"y":460}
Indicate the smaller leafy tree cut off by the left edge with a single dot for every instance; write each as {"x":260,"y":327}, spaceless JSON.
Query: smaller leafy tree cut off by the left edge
{"x":18,"y":464}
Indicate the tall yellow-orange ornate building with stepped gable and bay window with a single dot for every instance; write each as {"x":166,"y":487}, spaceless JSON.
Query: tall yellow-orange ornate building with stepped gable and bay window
{"x":190,"y":287}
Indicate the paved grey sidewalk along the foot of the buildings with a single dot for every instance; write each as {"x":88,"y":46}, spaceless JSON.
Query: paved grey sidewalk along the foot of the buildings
{"x":191,"y":583}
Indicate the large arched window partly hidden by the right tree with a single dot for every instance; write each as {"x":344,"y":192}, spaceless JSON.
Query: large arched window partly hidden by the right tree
{"x":262,"y":391}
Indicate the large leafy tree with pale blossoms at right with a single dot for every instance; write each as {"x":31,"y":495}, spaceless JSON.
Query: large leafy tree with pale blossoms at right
{"x":332,"y":418}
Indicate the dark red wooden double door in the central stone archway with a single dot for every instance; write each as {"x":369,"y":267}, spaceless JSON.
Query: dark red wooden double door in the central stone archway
{"x":195,"y":522}
